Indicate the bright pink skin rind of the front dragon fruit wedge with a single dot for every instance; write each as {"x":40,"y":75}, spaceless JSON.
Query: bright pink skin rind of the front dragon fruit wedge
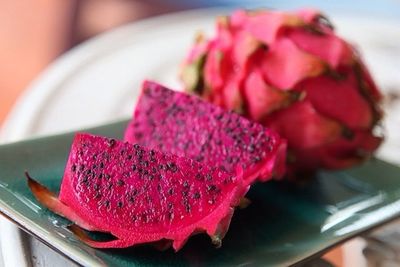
{"x":214,"y":224}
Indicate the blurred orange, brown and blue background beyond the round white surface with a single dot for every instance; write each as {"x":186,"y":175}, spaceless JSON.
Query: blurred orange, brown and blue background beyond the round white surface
{"x":34,"y":33}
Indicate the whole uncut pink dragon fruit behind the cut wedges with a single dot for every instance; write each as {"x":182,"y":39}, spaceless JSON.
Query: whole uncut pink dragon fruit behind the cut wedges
{"x":292,"y":73}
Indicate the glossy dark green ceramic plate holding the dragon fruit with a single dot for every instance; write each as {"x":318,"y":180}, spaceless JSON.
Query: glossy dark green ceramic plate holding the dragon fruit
{"x":285,"y":224}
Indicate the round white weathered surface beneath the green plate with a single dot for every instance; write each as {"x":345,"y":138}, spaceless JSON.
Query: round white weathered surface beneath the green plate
{"x":98,"y":81}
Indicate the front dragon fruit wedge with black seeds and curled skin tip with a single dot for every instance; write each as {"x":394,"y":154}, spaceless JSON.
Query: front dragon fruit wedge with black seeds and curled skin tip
{"x":140,"y":195}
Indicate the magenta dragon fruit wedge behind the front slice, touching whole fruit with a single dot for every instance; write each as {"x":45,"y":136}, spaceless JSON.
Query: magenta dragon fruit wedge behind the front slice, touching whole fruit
{"x":185,"y":125}
